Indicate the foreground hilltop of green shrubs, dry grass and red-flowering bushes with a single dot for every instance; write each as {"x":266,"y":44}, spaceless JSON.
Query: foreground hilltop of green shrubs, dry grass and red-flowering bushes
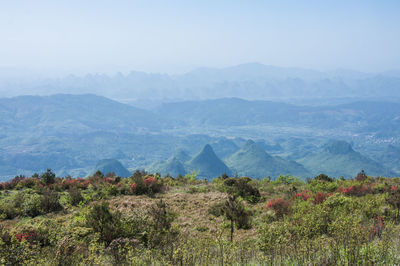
{"x":148,"y":219}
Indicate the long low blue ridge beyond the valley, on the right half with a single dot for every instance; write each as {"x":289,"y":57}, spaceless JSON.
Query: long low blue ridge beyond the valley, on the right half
{"x":360,"y":116}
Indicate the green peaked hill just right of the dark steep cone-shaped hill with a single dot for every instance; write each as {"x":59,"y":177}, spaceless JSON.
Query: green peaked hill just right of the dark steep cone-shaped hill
{"x":252,"y":160}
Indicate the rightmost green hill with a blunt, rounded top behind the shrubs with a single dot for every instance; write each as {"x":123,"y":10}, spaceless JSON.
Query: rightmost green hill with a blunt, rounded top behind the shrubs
{"x":339,"y":159}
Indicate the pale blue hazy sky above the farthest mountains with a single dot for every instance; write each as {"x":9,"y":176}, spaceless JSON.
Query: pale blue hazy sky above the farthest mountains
{"x":174,"y":36}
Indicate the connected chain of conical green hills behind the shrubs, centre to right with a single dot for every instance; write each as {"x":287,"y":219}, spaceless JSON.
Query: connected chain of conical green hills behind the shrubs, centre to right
{"x":336,"y":159}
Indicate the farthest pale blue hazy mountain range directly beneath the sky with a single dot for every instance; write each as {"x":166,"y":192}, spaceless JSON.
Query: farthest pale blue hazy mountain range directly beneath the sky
{"x":248,"y":81}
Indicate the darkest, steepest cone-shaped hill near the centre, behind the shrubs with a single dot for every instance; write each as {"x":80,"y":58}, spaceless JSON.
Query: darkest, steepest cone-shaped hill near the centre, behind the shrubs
{"x":208,"y":164}
